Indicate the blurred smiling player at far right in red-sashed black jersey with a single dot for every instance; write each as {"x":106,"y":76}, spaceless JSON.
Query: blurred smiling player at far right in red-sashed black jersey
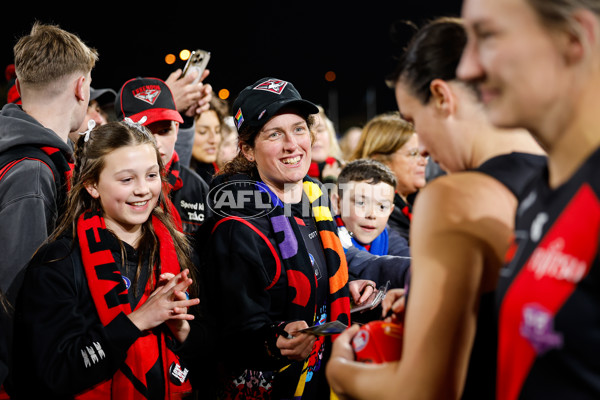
{"x":547,"y":299}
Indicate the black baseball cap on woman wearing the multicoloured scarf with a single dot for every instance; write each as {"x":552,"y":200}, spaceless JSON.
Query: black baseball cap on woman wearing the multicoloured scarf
{"x":259,"y":102}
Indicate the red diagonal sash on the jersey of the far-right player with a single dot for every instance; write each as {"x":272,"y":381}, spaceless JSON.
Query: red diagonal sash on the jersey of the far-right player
{"x":561,"y":260}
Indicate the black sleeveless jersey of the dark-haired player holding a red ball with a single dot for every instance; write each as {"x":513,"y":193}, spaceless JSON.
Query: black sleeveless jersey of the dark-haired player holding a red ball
{"x":513,"y":170}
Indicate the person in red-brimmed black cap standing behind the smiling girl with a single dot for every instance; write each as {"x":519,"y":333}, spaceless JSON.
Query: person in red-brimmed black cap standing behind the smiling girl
{"x":149,"y":101}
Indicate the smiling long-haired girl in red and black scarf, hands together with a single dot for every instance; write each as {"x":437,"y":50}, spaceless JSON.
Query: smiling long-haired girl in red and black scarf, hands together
{"x":103,"y":308}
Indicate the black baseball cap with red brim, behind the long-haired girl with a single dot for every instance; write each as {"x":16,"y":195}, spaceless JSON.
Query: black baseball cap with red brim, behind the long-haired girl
{"x":149,"y":97}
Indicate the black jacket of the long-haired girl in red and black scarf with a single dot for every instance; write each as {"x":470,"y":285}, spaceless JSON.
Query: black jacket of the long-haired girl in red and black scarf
{"x":56,"y":322}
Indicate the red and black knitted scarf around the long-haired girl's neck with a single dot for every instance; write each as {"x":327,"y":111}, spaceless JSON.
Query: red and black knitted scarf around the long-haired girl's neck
{"x":109,"y":294}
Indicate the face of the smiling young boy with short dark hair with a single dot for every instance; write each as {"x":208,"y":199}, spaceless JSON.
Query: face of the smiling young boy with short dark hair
{"x":365,"y":208}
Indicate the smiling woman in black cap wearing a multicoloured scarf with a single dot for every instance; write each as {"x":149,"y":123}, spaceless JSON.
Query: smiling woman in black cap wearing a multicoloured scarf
{"x":275,"y":262}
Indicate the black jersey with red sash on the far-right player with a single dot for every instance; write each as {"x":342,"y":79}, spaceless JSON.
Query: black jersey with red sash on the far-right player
{"x":549,"y":293}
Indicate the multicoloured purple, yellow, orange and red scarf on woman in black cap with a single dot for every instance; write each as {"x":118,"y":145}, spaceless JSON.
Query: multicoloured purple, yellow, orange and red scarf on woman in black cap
{"x":298,"y":267}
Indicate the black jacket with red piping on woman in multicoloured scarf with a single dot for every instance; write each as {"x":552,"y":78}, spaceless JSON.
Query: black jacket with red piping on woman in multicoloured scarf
{"x":240,"y":260}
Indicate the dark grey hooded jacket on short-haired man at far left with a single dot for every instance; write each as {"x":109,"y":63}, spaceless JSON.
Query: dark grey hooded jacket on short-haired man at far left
{"x":30,"y":198}
